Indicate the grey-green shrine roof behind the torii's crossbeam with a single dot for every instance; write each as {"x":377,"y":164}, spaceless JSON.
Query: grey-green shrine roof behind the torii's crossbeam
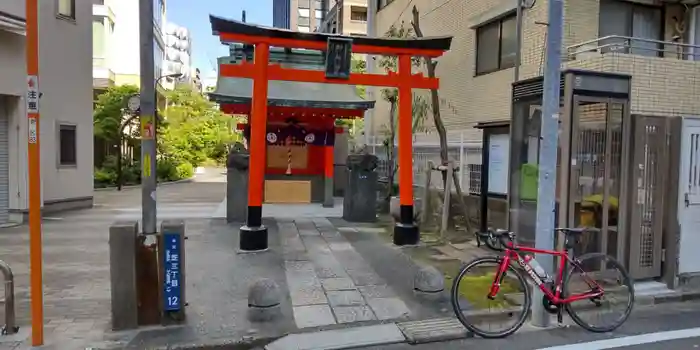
{"x":289,"y":93}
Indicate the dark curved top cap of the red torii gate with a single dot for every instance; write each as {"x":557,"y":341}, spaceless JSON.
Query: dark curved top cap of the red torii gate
{"x":222,"y":25}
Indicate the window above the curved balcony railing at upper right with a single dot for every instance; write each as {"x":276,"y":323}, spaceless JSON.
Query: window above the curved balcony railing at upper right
{"x":630,"y":20}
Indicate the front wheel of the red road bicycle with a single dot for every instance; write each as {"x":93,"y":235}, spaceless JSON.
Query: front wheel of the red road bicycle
{"x":486,"y":317}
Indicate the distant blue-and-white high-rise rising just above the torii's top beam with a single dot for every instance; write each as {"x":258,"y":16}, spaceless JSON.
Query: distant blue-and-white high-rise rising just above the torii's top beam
{"x":297,"y":15}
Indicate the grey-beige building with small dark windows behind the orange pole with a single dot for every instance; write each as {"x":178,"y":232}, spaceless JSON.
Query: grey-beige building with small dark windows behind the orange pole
{"x":66,"y":130}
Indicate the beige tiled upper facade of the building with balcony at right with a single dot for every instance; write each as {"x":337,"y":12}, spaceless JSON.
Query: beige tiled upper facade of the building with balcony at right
{"x":652,"y":37}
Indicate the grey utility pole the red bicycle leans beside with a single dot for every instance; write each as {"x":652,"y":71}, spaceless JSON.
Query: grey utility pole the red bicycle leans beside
{"x":544,"y":231}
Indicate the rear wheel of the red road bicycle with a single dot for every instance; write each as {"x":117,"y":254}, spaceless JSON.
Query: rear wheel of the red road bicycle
{"x":599,"y":269}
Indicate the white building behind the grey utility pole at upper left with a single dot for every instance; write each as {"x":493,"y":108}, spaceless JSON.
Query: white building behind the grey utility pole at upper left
{"x":116,"y":59}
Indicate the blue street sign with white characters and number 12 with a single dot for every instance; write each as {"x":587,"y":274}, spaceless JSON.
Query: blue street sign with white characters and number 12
{"x":172,"y":288}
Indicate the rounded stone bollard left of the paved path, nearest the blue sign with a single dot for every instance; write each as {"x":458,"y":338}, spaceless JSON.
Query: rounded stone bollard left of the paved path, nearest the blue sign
{"x":264,"y":298}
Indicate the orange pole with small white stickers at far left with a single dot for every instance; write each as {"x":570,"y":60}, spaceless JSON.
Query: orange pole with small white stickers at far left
{"x":34,"y":168}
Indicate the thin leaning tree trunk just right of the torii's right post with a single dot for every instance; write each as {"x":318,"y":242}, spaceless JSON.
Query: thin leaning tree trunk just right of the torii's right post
{"x":440,"y":126}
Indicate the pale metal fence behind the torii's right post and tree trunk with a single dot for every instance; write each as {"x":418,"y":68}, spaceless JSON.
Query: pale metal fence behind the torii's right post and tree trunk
{"x":426,"y":148}
